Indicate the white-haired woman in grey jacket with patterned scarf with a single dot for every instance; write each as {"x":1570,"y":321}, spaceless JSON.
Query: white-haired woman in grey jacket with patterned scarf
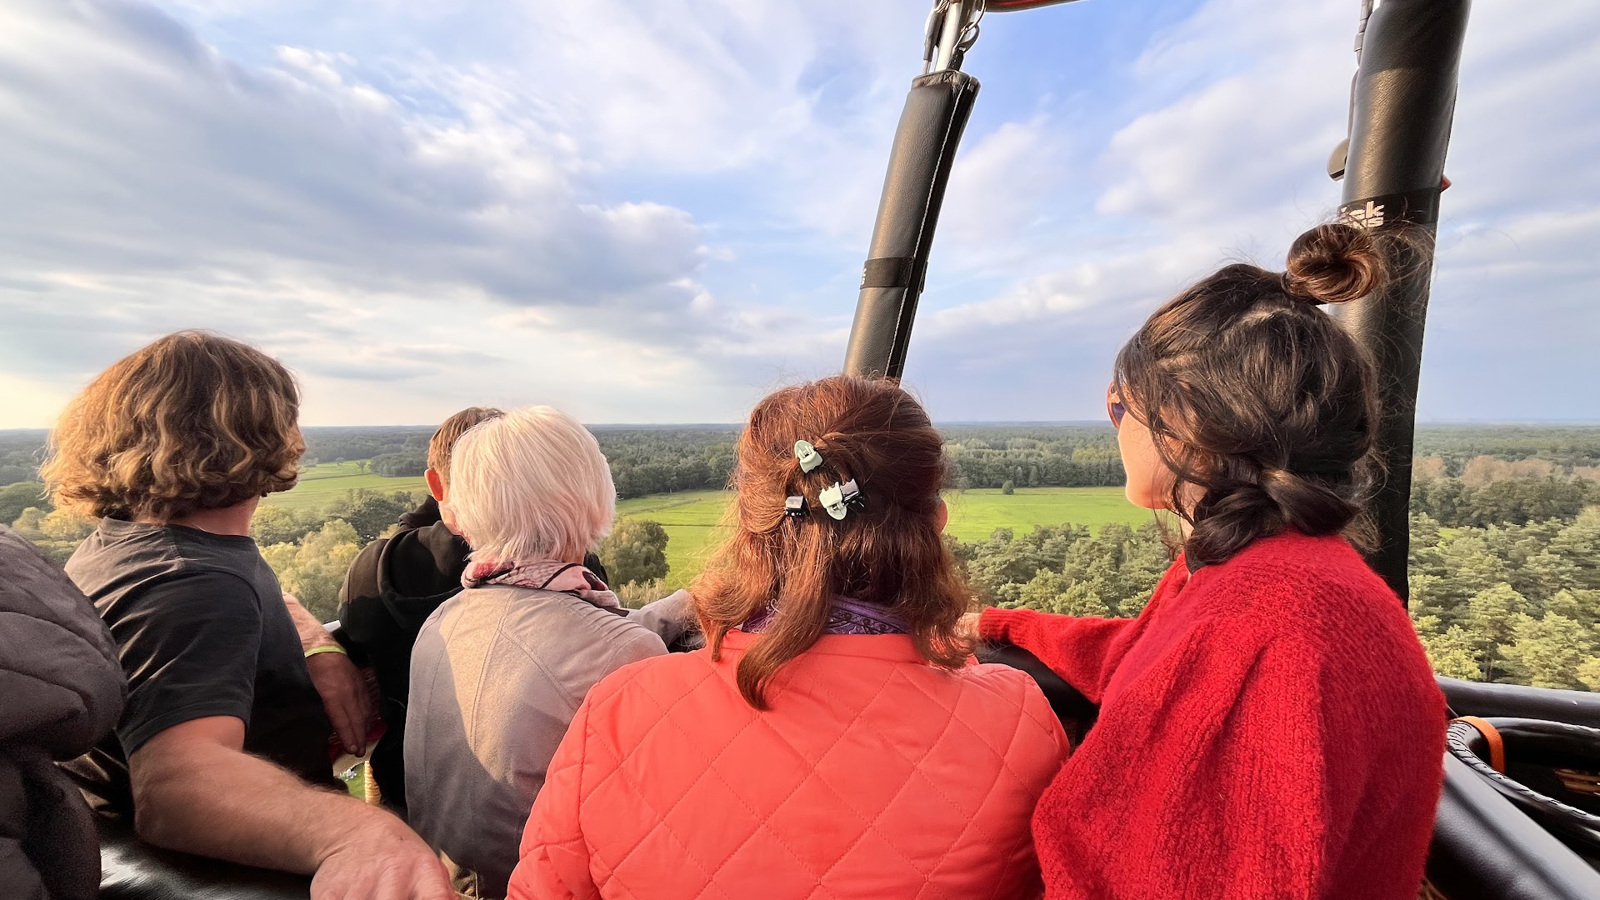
{"x":502,"y":667}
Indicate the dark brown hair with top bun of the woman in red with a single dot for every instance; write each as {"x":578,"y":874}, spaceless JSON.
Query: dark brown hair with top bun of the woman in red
{"x":1263,"y":408}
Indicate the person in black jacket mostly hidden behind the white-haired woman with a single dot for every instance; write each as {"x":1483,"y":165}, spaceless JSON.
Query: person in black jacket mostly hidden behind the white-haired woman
{"x":396,"y":584}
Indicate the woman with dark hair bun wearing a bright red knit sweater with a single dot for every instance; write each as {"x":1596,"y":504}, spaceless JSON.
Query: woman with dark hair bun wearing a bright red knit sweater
{"x":1270,"y":725}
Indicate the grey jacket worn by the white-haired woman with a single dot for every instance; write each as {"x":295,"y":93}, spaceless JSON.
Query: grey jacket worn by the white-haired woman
{"x":497,"y":677}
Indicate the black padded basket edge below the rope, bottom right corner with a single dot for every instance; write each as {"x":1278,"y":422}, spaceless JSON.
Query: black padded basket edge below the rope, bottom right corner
{"x":1487,"y":850}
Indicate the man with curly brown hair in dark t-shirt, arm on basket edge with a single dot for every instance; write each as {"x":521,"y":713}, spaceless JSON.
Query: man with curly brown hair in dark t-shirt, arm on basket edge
{"x":223,"y":745}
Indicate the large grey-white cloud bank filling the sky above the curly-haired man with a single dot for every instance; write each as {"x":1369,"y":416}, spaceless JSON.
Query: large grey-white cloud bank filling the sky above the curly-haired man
{"x":154,"y":185}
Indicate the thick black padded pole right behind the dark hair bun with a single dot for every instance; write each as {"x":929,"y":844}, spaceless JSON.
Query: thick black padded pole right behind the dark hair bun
{"x":1406,"y":95}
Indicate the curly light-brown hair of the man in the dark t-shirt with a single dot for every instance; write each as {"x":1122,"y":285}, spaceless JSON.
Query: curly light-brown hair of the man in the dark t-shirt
{"x":191,"y":422}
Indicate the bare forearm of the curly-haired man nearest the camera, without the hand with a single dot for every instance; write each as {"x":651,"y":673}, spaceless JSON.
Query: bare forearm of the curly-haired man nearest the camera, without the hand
{"x":239,"y":808}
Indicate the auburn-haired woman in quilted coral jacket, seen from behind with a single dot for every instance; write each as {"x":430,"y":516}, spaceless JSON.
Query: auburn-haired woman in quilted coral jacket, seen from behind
{"x":834,"y":739}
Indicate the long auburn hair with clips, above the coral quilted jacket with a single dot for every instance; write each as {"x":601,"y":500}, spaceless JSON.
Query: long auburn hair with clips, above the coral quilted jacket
{"x":890,"y":553}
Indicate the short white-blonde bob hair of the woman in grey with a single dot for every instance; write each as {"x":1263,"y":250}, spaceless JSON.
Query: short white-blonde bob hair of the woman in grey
{"x":530,"y":486}
